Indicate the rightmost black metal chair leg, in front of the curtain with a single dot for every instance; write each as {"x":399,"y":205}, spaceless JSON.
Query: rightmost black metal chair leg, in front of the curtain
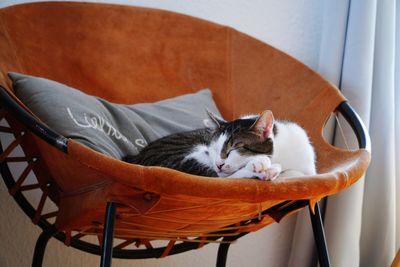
{"x":319,"y":235}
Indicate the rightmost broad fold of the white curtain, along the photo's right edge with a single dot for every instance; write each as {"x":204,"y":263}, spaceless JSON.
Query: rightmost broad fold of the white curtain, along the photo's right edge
{"x":378,"y":244}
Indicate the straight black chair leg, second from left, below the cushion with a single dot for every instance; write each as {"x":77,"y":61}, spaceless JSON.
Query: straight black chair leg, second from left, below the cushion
{"x":108,"y":235}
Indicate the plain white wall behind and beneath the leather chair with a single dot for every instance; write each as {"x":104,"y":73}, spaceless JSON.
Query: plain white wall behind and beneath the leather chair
{"x":292,"y":26}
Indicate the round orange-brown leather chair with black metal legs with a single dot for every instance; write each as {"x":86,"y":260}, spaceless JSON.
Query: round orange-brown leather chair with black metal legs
{"x":114,"y":52}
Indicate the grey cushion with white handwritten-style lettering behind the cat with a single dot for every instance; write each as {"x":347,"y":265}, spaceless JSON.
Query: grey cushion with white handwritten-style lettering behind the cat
{"x":113,"y":129}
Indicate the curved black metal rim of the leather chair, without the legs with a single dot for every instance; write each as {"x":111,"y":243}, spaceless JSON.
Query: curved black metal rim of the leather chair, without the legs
{"x":60,"y":142}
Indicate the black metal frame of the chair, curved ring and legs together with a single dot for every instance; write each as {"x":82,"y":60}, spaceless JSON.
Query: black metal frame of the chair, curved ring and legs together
{"x":107,"y":251}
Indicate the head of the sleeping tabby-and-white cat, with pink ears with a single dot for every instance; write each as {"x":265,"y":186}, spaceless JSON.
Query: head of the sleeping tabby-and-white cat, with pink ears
{"x":236,"y":142}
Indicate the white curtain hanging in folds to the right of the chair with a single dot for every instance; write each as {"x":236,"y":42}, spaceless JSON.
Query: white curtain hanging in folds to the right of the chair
{"x":362,"y":223}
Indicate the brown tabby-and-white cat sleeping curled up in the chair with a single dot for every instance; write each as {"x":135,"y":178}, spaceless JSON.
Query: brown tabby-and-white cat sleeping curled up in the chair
{"x":248,"y":147}
